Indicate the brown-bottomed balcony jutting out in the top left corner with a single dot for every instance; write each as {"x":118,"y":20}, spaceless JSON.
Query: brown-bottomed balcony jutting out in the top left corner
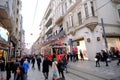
{"x":5,"y":16}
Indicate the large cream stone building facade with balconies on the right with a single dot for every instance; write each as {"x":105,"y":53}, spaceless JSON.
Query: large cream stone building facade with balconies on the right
{"x":78,"y":23}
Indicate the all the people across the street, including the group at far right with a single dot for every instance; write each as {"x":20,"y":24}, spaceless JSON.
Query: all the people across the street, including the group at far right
{"x":20,"y":65}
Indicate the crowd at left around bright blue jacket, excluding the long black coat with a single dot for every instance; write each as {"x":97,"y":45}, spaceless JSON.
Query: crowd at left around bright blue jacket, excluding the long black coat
{"x":18,"y":66}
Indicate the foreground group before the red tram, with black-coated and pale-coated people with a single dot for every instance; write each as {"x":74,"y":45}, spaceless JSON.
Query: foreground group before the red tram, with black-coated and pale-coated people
{"x":58,"y":67}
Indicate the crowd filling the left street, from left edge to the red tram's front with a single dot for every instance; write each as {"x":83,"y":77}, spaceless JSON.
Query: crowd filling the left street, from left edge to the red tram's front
{"x":19,"y":67}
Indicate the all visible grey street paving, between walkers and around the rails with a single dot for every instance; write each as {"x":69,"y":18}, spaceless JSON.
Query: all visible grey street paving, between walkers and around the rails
{"x":81,"y":70}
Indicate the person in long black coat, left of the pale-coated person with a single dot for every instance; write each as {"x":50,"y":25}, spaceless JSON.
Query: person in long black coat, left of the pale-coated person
{"x":45,"y":67}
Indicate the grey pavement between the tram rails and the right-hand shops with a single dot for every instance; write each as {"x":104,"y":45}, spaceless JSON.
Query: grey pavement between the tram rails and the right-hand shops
{"x":112,"y":72}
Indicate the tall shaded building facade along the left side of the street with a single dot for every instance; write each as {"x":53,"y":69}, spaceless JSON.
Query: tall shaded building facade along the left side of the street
{"x":10,"y":21}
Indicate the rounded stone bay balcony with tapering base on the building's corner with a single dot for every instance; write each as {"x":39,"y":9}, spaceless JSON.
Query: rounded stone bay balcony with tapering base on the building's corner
{"x":91,"y":22}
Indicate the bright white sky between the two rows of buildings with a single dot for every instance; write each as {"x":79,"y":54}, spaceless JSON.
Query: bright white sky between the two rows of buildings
{"x":32,"y":17}
